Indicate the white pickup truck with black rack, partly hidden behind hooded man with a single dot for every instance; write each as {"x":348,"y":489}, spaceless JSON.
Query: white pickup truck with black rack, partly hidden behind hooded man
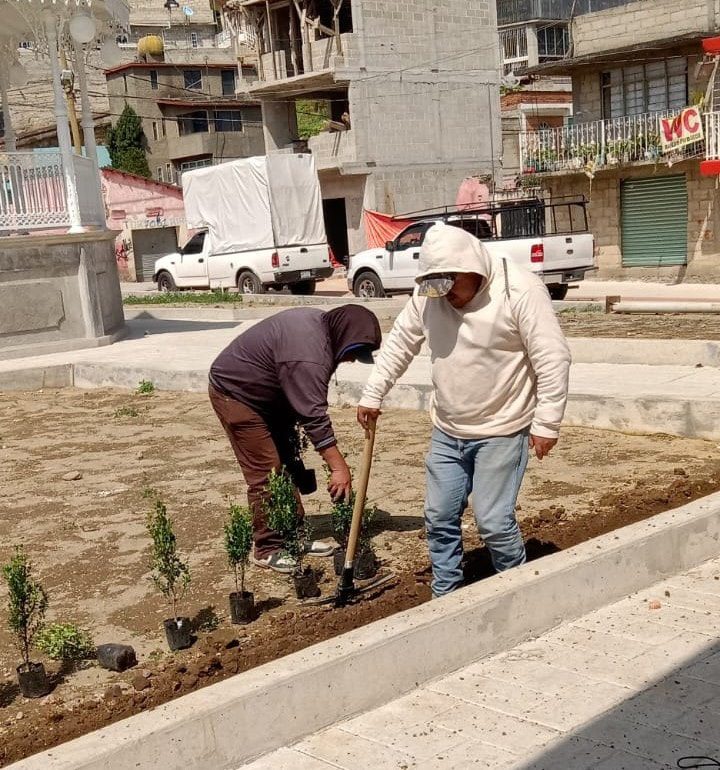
{"x":550,"y":238}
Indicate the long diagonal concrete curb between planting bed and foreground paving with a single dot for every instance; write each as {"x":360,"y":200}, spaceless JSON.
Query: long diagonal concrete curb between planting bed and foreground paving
{"x":227,"y":724}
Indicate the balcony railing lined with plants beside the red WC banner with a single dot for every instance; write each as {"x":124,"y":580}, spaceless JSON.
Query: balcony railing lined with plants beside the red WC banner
{"x":601,"y":144}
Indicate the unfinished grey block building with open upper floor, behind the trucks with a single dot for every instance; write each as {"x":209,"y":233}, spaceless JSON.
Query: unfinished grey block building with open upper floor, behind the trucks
{"x":409,"y":89}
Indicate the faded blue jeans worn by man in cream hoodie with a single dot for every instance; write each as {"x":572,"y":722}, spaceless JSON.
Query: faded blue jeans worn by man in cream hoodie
{"x":493,"y":469}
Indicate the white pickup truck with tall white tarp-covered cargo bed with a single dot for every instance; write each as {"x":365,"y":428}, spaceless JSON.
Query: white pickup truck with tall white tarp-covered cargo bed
{"x":260,"y":225}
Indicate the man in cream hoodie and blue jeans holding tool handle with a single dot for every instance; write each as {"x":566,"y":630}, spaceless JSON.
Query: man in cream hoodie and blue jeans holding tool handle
{"x":500,"y":367}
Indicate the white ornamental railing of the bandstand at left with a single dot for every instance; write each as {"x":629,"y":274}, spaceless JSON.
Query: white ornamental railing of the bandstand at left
{"x":33,"y":194}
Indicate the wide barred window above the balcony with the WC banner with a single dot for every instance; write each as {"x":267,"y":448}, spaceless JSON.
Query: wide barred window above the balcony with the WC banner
{"x":651,"y":87}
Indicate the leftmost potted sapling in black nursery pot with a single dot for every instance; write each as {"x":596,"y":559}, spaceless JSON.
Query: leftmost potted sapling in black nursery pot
{"x":27,"y":604}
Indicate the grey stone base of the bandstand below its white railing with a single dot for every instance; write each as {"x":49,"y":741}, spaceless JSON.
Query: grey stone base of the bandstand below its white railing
{"x":57,"y":293}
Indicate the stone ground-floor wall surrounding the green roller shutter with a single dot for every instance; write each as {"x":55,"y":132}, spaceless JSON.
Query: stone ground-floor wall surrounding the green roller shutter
{"x":605,"y":222}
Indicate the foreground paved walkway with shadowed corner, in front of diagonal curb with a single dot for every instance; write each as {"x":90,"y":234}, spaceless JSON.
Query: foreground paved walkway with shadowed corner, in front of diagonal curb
{"x":624,"y":688}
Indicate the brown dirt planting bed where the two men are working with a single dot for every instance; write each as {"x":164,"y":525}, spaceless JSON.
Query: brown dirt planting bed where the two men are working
{"x":87,"y":539}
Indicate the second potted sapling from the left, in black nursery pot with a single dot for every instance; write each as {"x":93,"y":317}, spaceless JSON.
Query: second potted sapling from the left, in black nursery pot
{"x":170,"y":574}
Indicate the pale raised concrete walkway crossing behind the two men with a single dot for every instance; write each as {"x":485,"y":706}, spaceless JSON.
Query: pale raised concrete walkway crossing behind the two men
{"x":176,"y":355}
